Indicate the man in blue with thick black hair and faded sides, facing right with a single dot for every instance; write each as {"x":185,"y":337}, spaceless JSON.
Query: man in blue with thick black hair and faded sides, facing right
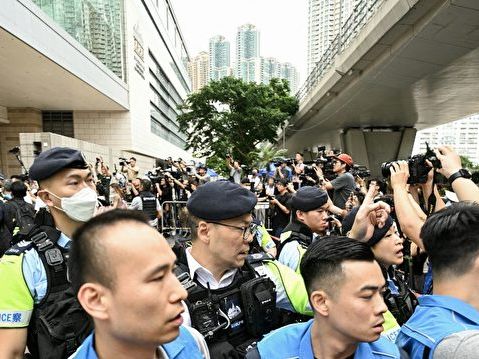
{"x":345,"y":286}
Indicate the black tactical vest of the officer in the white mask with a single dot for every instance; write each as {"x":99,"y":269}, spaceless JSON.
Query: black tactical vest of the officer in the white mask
{"x":59,"y":324}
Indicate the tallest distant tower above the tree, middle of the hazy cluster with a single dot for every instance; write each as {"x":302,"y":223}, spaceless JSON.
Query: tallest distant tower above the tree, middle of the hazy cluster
{"x":248,"y":63}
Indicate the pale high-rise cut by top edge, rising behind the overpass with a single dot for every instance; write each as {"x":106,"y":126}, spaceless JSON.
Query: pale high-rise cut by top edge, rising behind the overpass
{"x":325,"y":20}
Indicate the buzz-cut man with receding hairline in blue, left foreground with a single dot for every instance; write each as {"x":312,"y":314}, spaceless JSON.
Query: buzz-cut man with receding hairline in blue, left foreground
{"x":122,"y":272}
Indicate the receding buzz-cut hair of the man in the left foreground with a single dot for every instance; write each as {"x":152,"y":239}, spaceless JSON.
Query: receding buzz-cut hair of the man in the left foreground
{"x":88,"y":260}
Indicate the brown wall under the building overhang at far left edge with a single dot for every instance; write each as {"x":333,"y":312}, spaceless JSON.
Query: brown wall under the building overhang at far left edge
{"x":19,"y":120}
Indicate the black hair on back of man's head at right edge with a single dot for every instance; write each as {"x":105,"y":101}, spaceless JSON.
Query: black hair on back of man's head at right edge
{"x":451,"y":238}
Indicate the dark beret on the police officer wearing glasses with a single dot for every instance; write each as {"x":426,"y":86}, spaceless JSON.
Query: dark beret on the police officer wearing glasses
{"x":215,"y":201}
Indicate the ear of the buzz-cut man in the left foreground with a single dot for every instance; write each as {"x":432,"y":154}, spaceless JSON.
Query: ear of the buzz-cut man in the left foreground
{"x":94,"y":298}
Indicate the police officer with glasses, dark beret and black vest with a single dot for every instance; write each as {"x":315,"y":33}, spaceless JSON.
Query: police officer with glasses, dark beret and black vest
{"x":232,"y":298}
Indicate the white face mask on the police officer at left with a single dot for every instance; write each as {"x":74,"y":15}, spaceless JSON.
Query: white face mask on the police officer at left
{"x":81,"y":206}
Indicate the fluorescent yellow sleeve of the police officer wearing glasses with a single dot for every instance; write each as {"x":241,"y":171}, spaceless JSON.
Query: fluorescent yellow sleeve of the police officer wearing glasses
{"x":293,"y":285}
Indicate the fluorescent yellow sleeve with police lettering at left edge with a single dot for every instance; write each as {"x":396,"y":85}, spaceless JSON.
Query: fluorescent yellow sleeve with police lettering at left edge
{"x":16,"y":302}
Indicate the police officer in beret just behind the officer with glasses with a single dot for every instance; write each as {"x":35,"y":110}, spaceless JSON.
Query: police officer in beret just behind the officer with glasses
{"x":310,"y":206}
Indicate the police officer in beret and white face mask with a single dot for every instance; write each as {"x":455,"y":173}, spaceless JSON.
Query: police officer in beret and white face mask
{"x":37,"y":305}
